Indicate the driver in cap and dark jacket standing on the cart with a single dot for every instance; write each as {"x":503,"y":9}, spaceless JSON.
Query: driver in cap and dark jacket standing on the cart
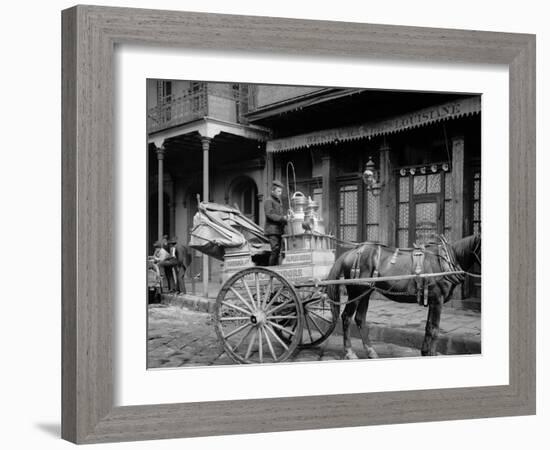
{"x":275,"y":221}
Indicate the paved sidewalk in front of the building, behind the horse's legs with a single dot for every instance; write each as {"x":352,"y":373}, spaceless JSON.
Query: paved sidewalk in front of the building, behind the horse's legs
{"x":390,"y":322}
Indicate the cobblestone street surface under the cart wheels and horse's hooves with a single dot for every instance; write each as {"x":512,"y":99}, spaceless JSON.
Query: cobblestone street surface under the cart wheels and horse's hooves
{"x":179,"y":337}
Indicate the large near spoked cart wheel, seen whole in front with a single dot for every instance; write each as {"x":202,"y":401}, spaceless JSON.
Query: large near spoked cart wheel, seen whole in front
{"x":258,"y":317}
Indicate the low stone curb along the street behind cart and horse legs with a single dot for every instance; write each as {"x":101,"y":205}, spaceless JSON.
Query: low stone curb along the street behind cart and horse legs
{"x":447,"y":344}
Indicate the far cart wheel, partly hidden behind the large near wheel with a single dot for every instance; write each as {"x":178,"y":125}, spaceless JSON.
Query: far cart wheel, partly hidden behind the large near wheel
{"x":320,"y":316}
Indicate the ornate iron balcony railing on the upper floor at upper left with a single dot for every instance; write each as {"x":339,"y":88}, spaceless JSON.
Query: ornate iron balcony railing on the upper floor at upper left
{"x":220,"y":100}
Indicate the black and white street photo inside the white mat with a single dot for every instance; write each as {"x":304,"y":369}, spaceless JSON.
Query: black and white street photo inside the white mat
{"x":305,"y":223}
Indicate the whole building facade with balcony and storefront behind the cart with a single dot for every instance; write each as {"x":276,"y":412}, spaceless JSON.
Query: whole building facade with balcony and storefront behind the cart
{"x":226,"y":142}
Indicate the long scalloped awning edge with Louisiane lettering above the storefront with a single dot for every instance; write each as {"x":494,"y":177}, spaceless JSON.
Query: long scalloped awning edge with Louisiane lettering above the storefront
{"x":425,"y":116}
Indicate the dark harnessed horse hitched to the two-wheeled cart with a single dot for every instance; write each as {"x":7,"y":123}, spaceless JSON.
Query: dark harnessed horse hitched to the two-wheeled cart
{"x":371,"y":260}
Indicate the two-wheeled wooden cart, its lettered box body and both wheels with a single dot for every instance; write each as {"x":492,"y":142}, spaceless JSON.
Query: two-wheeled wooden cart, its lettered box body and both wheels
{"x":264,"y":314}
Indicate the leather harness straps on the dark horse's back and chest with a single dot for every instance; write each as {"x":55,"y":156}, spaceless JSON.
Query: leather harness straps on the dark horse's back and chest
{"x":444,"y":253}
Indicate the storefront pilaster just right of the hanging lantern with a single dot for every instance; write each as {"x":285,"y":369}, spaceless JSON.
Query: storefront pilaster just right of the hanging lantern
{"x":387,"y":203}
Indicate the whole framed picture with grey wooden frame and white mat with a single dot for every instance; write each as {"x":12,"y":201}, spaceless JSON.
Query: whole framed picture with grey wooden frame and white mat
{"x":264,"y":229}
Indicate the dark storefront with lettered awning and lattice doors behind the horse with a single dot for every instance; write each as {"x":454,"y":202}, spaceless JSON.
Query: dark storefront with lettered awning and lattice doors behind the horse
{"x":427,"y":176}
